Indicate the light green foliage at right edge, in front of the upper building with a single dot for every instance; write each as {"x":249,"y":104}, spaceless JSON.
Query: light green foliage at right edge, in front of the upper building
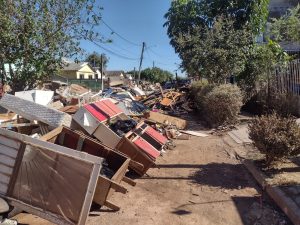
{"x":287,"y":28}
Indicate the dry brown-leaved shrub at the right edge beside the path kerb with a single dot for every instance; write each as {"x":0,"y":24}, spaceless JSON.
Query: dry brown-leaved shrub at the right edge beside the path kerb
{"x":276,"y":137}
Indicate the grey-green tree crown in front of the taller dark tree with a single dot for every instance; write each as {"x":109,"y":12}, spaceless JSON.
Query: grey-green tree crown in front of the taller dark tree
{"x":216,"y":52}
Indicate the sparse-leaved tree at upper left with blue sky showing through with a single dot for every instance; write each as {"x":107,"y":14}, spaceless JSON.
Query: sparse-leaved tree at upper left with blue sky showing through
{"x":36,"y":34}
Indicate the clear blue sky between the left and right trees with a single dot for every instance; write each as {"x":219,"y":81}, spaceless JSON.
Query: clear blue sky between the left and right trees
{"x":136,"y":21}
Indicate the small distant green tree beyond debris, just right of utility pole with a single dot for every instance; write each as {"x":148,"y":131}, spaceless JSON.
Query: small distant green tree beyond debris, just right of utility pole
{"x":156,"y":75}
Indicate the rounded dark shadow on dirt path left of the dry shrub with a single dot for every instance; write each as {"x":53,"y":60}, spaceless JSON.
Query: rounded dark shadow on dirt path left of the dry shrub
{"x":223,"y":175}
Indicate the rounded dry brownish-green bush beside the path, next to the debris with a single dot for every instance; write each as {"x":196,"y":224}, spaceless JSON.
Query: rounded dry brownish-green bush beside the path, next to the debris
{"x":221,"y":104}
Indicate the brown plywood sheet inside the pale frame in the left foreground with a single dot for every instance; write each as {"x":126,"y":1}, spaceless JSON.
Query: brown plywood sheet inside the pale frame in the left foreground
{"x":46,"y":180}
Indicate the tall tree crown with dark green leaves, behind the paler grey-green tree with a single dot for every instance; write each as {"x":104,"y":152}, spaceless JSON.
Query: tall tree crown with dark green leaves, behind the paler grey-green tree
{"x":188,"y":18}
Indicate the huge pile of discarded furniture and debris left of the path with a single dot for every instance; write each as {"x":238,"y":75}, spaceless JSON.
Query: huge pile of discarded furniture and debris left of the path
{"x":47,"y":138}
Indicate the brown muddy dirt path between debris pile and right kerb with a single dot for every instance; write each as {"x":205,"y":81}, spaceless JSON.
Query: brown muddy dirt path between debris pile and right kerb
{"x":199,"y":182}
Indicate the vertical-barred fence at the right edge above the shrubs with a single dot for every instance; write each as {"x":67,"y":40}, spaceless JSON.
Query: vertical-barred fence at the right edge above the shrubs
{"x":288,"y":79}
